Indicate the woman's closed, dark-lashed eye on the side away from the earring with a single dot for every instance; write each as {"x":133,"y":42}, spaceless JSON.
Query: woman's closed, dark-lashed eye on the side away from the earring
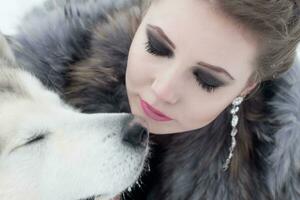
{"x":156,"y":47}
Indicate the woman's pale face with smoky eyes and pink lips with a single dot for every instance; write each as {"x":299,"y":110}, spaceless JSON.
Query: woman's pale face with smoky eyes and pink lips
{"x":188,"y":61}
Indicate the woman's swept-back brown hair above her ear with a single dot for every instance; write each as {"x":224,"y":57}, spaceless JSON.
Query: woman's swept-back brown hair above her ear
{"x":277,"y":26}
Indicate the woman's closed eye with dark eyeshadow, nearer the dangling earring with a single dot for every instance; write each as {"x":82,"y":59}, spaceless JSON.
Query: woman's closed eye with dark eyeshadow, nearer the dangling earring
{"x":206,"y":81}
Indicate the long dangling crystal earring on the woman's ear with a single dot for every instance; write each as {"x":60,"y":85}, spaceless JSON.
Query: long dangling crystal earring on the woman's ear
{"x":235,"y":108}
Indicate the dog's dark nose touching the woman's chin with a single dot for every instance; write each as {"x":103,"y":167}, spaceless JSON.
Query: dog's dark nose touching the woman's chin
{"x":135,"y":133}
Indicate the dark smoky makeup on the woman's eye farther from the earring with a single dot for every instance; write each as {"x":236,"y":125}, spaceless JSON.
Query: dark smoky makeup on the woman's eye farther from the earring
{"x":156,"y":46}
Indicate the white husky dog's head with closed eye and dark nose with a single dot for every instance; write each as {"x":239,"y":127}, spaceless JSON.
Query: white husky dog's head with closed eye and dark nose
{"x":50,"y":151}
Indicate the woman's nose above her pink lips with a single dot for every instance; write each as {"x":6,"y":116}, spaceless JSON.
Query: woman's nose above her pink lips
{"x":166,"y":88}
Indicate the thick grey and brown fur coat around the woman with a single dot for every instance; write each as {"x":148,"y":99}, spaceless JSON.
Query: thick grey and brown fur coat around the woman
{"x":80,"y":49}
